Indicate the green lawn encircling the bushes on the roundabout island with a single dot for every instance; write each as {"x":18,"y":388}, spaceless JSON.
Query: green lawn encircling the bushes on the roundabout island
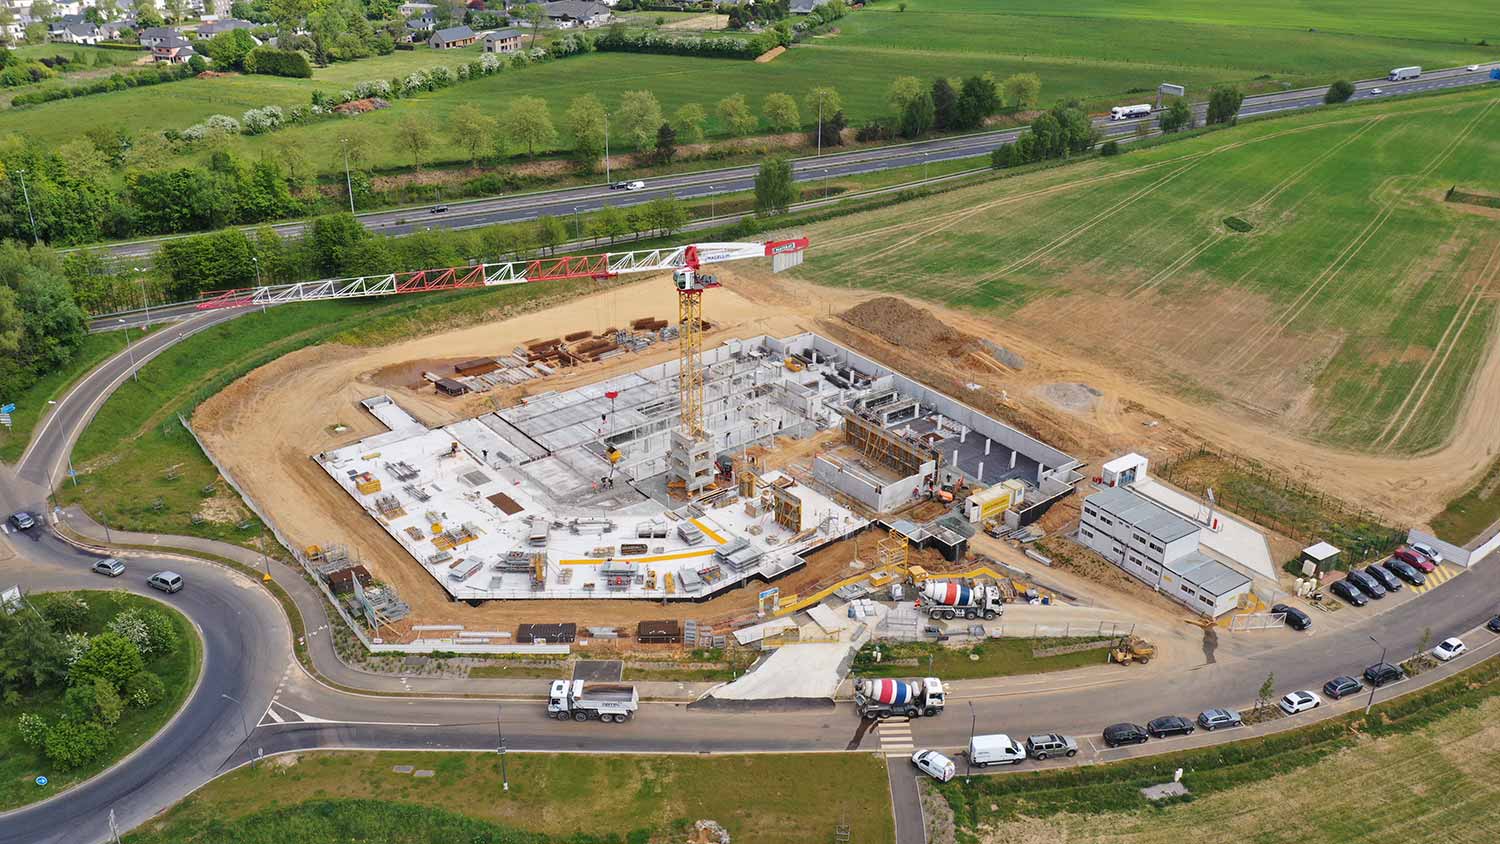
{"x":20,"y":765}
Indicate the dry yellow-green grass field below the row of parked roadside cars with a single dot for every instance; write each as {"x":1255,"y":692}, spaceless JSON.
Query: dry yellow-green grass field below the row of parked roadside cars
{"x":1381,"y":782}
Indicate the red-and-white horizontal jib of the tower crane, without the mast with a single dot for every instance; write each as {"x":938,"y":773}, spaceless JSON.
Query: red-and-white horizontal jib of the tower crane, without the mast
{"x":784,"y":254}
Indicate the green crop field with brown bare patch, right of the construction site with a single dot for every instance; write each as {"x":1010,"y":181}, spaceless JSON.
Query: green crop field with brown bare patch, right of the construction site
{"x":1355,"y":313}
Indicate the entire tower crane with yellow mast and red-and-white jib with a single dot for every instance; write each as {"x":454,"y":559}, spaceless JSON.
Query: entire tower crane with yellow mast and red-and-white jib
{"x":685,"y":263}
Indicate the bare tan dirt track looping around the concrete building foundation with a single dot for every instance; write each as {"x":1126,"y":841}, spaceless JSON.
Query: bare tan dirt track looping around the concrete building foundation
{"x":266,"y":426}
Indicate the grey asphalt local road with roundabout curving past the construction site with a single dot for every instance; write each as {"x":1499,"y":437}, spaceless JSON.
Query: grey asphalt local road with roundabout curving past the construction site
{"x":248,"y":659}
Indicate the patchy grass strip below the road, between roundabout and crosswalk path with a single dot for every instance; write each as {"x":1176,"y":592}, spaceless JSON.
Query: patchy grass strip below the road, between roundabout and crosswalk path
{"x":767,"y":800}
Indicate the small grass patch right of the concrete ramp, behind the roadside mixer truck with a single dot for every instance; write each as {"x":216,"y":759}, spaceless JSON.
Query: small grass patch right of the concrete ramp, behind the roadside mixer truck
{"x":997,"y":659}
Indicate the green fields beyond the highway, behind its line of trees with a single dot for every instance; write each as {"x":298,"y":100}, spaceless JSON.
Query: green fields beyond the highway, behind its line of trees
{"x":1096,"y":52}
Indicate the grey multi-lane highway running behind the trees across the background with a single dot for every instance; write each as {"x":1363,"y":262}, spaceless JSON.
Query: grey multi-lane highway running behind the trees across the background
{"x":568,"y":202}
